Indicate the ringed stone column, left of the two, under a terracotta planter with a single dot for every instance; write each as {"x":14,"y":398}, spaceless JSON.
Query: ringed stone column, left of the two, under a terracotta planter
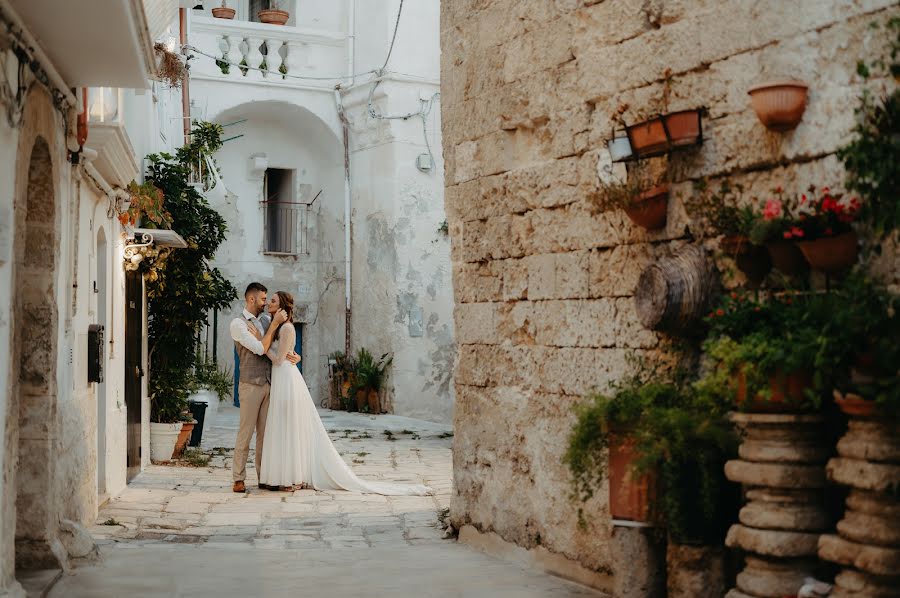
{"x":782,"y":468}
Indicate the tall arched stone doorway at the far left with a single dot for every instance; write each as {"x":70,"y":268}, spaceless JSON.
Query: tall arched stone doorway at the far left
{"x":34,"y":397}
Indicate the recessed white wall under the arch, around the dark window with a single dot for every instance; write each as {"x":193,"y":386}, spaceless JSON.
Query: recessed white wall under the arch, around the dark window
{"x":291,"y":137}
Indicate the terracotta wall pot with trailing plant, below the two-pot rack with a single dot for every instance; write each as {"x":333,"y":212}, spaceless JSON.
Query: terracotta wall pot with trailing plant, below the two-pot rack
{"x":642,"y":196}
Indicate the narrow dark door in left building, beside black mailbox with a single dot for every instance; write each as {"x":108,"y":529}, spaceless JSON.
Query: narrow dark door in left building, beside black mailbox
{"x":134,"y":324}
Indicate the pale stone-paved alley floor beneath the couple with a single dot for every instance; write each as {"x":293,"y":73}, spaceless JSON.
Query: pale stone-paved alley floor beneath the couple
{"x":180,"y":531}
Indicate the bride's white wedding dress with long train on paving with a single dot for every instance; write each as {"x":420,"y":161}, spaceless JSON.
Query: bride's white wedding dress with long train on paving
{"x":296,"y":448}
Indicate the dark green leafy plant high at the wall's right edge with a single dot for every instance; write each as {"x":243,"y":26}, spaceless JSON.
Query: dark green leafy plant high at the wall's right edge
{"x":872,"y":158}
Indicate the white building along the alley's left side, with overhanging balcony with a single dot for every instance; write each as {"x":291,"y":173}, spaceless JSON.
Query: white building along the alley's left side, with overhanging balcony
{"x":61,"y":256}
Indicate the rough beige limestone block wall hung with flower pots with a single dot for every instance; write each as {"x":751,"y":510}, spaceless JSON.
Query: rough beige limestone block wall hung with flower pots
{"x":543,"y":286}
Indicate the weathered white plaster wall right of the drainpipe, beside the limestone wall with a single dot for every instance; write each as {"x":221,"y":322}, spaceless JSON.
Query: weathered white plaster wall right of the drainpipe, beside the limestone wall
{"x":401,"y":272}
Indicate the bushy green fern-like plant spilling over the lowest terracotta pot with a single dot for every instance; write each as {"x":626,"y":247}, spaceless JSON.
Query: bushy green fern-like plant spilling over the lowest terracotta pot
{"x":681,"y":438}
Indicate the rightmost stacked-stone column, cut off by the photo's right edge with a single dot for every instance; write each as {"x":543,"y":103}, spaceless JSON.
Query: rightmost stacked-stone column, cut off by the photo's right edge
{"x":867,"y":542}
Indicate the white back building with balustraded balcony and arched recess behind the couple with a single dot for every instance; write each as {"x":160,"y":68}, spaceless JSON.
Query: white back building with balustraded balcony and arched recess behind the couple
{"x":374,"y":243}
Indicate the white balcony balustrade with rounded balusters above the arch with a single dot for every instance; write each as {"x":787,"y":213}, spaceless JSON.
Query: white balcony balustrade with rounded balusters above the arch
{"x":245,"y":51}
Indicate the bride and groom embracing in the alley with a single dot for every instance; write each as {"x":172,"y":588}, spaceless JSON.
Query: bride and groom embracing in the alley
{"x":292,"y":445}
